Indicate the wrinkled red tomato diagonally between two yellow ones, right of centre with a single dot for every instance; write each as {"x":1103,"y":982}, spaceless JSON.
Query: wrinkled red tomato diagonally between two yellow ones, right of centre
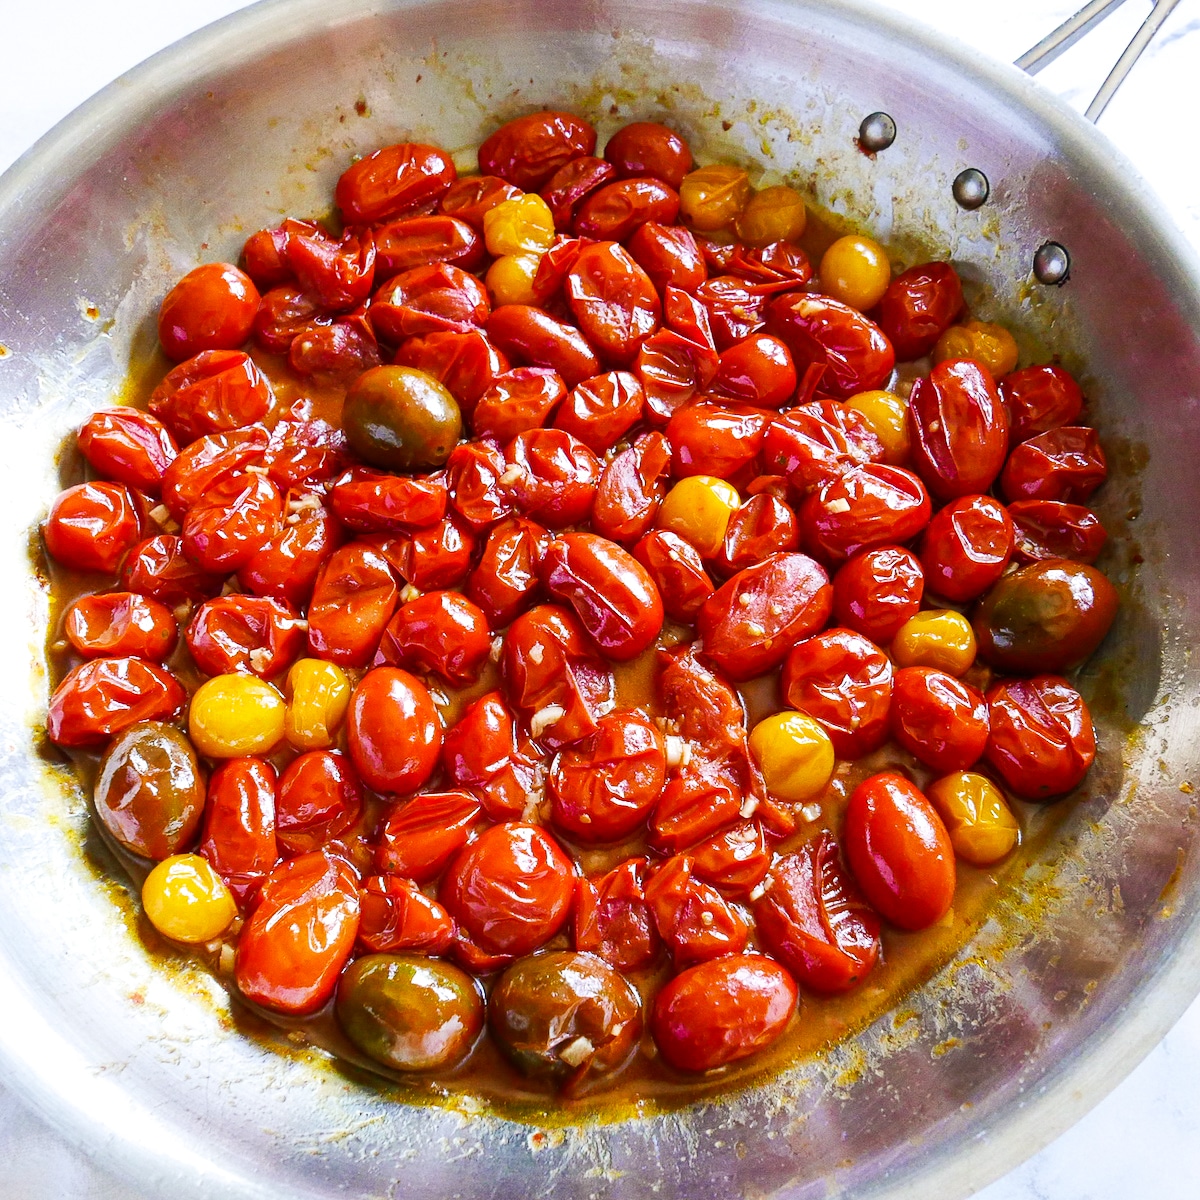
{"x":844,"y":681}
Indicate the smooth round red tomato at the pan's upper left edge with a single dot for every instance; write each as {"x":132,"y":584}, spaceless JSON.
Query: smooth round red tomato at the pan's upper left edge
{"x":211,"y":309}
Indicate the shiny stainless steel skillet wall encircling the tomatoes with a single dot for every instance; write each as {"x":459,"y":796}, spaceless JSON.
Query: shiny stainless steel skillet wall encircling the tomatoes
{"x":243,"y":123}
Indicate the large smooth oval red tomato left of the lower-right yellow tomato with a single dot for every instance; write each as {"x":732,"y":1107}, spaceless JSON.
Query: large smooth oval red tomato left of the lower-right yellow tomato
{"x":899,"y":851}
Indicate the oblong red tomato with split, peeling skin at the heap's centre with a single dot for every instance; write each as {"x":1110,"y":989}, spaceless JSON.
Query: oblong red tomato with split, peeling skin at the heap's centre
{"x":613,"y":596}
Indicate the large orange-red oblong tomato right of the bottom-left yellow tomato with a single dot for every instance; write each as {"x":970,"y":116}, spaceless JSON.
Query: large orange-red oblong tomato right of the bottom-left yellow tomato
{"x":301,"y":935}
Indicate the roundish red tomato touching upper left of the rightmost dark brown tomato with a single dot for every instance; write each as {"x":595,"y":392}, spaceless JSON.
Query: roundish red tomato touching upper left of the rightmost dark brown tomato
{"x":967,"y":548}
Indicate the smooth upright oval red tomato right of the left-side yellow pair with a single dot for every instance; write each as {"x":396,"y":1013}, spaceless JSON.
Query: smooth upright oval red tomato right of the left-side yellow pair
{"x":394,"y":731}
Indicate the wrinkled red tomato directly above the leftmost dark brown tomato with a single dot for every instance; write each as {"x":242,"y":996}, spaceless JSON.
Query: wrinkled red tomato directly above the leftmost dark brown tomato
{"x":105,"y":697}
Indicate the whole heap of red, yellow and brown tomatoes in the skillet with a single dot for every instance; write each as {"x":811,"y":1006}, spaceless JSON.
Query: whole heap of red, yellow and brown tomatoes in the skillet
{"x":611,"y":447}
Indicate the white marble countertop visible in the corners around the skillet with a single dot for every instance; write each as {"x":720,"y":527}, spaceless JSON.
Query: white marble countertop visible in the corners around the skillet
{"x":1144,"y":1139}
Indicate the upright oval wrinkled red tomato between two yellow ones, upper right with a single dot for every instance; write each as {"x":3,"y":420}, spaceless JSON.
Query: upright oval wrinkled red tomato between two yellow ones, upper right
{"x":958,"y":429}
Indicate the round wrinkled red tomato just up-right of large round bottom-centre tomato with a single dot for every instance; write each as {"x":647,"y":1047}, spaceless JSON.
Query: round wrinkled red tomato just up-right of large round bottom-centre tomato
{"x":603,"y":788}
